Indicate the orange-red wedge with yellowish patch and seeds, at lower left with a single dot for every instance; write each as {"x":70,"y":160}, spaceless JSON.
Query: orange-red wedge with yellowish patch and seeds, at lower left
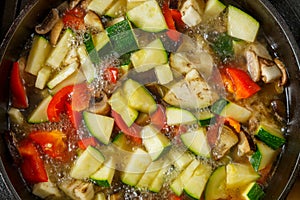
{"x":52,"y":142}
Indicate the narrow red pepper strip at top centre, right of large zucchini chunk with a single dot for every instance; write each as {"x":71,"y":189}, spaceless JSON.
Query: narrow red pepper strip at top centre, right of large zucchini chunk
{"x":172,"y":33}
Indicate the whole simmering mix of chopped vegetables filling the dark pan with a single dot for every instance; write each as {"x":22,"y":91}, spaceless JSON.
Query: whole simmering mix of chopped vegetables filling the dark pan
{"x":147,"y":98}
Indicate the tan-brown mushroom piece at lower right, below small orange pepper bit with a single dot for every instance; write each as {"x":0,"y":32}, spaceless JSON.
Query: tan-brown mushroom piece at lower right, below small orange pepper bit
{"x":225,"y":141}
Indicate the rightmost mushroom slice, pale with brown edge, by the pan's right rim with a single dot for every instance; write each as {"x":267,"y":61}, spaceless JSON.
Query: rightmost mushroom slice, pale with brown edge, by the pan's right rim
{"x":269,"y":71}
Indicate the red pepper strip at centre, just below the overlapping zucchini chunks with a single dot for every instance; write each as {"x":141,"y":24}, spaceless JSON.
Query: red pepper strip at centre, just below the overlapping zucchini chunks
{"x":133,"y":131}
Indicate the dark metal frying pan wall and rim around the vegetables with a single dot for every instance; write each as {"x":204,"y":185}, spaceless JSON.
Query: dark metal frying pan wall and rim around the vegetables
{"x":273,"y":27}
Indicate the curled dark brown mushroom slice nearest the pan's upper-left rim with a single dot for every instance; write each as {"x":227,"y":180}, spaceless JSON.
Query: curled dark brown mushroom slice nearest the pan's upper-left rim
{"x":48,"y":23}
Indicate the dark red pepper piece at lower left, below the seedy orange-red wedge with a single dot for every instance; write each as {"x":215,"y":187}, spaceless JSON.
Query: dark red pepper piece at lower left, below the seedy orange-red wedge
{"x":32,"y":166}
